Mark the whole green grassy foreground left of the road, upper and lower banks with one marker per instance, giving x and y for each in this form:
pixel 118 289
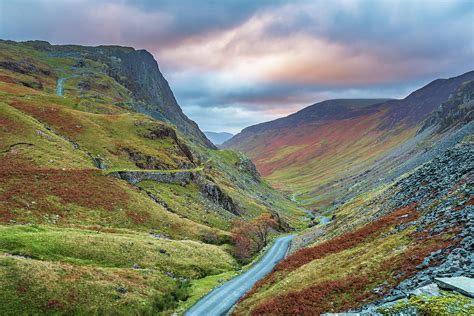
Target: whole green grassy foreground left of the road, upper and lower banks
pixel 50 270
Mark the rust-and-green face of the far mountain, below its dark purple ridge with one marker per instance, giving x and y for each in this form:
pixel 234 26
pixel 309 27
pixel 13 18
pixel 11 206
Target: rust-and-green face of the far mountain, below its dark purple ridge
pixel 318 162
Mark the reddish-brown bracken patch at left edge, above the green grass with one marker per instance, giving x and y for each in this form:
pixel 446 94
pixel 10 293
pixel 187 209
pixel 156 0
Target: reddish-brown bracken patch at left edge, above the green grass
pixel 40 190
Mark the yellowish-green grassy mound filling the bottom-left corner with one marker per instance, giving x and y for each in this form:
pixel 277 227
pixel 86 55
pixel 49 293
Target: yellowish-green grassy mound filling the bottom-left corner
pixel 31 286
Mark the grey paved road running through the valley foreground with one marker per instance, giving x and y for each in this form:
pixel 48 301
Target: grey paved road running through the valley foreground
pixel 220 300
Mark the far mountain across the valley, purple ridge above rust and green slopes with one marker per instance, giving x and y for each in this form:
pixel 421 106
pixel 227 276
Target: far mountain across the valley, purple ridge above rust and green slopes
pixel 322 153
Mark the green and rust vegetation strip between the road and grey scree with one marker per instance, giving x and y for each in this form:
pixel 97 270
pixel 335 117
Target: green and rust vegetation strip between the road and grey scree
pixel 348 271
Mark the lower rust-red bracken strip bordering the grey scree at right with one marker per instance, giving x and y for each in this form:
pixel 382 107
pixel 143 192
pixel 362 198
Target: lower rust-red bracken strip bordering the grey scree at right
pixel 352 292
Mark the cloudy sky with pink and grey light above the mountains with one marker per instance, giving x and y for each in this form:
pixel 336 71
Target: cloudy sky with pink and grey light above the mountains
pixel 232 64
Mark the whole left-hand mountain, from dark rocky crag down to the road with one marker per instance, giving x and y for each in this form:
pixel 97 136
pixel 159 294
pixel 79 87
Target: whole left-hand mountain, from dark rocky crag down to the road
pixel 112 201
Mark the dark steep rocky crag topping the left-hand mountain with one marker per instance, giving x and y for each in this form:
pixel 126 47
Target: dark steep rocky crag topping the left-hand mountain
pixel 135 70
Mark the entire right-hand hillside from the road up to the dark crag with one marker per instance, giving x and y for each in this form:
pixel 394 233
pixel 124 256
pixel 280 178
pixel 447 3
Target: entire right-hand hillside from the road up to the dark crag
pixel 388 240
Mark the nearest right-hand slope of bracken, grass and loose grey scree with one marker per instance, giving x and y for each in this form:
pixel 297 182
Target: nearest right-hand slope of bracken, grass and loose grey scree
pixel 380 246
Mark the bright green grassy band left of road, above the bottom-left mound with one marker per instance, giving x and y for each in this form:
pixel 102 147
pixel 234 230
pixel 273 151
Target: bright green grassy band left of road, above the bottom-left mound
pixel 119 250
